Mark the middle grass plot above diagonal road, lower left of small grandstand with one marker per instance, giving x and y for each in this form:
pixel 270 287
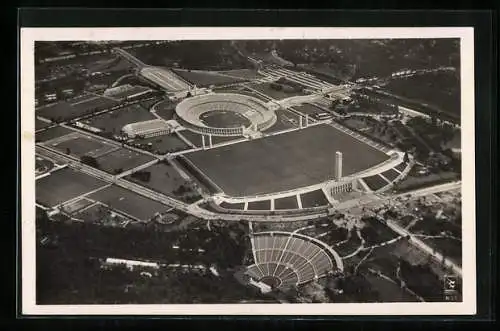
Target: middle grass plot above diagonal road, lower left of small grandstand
pixel 123 159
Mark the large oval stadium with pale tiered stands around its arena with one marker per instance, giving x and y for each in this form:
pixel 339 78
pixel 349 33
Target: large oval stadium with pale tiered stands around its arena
pixel 224 114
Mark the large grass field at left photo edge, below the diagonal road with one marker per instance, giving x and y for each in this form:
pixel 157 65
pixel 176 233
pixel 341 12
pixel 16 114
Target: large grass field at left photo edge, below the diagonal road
pixel 63 185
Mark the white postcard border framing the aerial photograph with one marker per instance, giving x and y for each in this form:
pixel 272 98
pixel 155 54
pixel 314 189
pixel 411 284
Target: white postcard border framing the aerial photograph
pixel 27 142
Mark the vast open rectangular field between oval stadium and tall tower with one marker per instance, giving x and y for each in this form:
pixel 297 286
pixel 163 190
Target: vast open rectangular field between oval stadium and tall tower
pixel 283 162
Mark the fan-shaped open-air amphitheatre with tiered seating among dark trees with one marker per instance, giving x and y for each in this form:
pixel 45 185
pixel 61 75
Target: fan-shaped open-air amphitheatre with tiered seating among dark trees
pixel 283 260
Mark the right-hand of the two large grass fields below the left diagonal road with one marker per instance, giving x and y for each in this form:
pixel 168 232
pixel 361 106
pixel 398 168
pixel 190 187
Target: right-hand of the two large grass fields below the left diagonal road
pixel 129 202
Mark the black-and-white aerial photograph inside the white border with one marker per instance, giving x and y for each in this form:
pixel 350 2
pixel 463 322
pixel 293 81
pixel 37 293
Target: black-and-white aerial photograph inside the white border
pixel 248 171
